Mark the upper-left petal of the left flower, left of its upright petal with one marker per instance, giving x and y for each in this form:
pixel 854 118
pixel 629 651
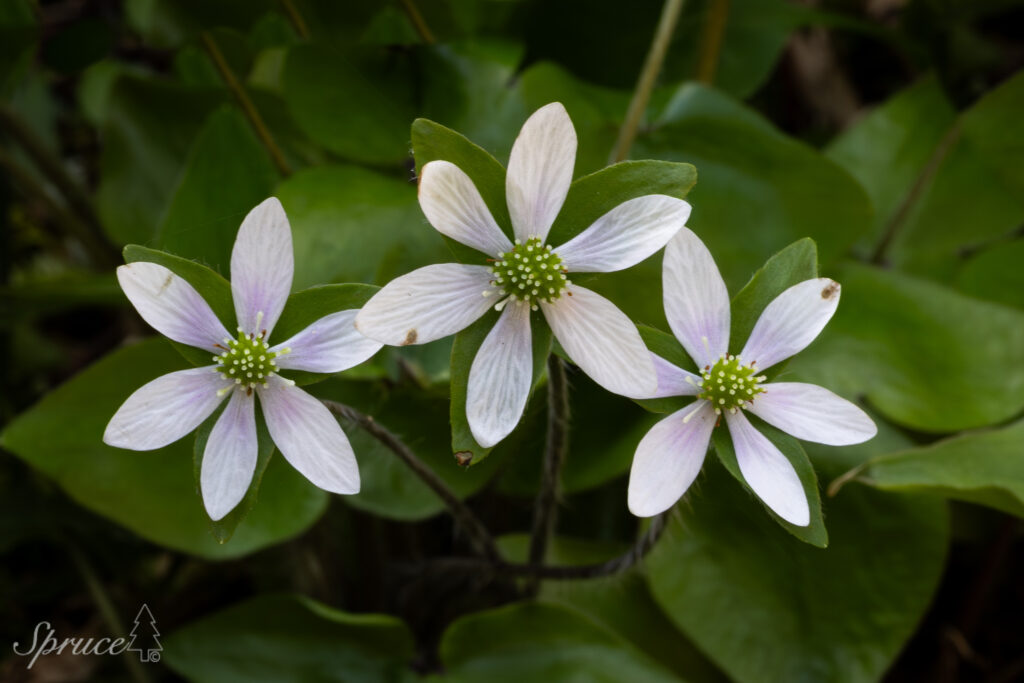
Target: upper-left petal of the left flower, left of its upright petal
pixel 172 306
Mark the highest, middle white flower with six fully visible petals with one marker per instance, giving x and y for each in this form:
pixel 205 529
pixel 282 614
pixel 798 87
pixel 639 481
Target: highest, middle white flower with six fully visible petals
pixel 440 301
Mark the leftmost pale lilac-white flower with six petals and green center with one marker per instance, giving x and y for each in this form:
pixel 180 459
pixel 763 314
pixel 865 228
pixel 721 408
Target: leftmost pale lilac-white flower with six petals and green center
pixel 170 407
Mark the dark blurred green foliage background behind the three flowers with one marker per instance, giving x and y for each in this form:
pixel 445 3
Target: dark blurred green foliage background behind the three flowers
pixel 889 132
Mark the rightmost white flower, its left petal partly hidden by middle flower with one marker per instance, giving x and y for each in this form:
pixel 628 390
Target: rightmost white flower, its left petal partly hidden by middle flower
pixel 697 304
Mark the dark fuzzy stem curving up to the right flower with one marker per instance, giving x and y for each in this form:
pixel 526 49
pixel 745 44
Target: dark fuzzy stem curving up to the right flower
pixel 616 566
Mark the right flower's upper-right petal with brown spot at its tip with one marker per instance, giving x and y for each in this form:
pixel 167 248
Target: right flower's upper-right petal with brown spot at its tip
pixel 792 322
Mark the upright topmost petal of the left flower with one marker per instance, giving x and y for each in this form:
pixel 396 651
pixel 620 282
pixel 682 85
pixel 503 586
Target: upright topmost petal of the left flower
pixel 263 266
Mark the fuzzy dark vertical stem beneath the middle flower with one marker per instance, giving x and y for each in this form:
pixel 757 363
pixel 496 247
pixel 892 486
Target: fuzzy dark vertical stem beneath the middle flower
pixel 546 508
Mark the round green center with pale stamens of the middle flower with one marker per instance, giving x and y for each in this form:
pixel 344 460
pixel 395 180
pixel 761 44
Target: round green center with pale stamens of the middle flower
pixel 530 272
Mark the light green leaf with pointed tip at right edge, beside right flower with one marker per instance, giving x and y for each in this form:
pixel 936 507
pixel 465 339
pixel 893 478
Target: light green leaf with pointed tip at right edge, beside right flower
pixel 985 467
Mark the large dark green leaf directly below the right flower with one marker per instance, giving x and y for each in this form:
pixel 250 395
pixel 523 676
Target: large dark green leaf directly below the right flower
pixel 769 609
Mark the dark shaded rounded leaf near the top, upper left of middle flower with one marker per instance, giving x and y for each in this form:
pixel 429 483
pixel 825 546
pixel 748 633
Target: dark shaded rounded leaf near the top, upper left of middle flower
pixel 356 103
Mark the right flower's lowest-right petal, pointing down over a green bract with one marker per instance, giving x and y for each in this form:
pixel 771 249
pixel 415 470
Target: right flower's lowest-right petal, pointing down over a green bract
pixel 769 473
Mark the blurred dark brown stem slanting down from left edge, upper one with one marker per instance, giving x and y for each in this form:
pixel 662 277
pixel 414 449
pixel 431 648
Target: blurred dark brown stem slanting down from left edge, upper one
pixel 91 231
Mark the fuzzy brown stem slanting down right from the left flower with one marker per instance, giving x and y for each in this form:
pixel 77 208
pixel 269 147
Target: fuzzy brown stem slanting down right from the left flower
pixel 479 536
